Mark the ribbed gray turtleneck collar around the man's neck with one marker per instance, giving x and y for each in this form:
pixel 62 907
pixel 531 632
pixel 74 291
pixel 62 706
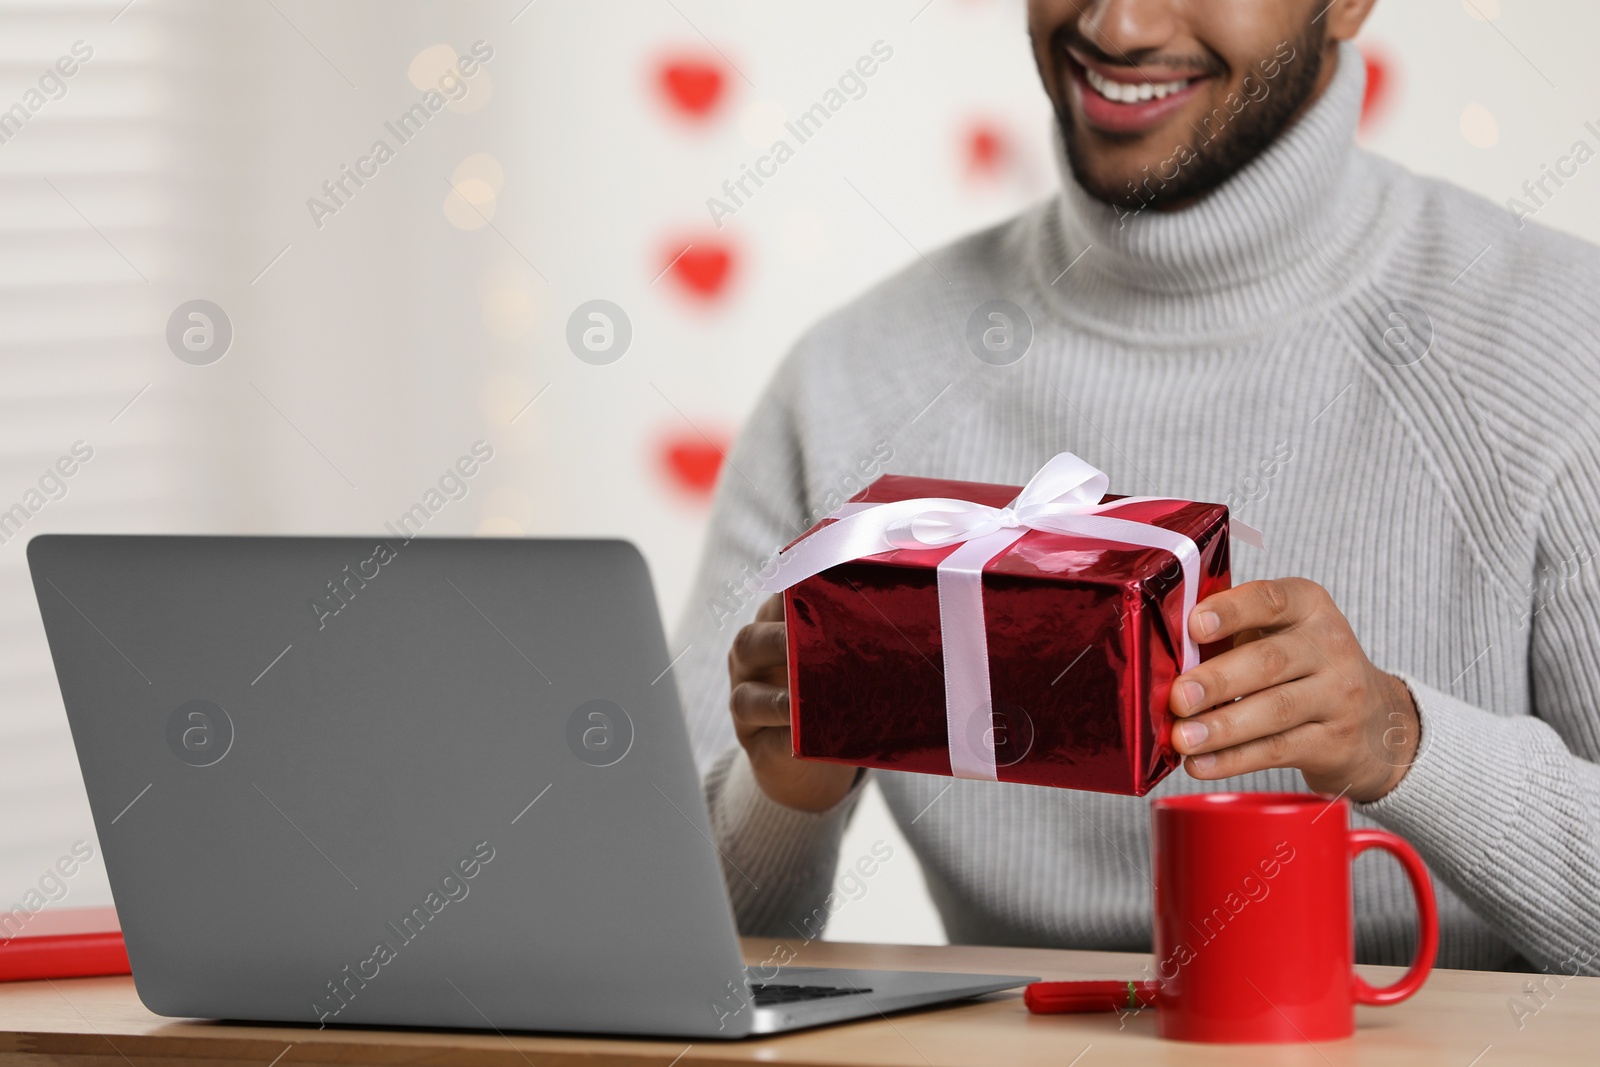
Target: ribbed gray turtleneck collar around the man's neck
pixel 1282 234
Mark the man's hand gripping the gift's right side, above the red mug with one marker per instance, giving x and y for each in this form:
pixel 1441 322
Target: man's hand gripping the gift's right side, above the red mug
pixel 1297 690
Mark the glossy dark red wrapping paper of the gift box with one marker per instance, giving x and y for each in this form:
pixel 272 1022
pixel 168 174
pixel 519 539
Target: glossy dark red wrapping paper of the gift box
pixel 1084 645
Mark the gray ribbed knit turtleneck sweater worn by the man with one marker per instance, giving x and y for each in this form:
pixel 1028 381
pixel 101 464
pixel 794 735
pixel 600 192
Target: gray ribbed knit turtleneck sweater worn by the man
pixel 1442 481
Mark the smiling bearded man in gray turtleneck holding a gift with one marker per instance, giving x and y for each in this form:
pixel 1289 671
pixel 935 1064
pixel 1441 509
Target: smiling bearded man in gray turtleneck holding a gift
pixel 1228 303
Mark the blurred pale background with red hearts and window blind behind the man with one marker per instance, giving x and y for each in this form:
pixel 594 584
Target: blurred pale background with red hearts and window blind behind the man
pixel 370 314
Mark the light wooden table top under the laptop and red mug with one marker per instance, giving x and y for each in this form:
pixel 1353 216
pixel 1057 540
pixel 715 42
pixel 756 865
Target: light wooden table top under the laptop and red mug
pixel 1462 1020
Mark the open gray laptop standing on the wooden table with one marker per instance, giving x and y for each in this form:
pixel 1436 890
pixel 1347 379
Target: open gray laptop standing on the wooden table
pixel 433 783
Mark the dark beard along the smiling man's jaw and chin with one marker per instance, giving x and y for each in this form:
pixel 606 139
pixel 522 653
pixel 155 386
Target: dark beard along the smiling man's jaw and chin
pixel 1214 156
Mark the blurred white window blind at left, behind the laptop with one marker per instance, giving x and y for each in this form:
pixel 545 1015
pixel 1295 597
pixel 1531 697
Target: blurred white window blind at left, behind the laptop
pixel 92 439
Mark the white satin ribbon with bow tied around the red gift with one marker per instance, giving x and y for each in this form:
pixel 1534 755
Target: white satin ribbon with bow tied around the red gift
pixel 1063 498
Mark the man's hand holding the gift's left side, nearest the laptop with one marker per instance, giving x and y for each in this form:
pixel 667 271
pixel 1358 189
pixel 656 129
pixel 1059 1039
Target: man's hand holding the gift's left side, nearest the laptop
pixel 759 674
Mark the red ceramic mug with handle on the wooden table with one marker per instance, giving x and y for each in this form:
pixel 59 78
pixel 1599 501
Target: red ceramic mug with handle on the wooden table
pixel 1255 937
